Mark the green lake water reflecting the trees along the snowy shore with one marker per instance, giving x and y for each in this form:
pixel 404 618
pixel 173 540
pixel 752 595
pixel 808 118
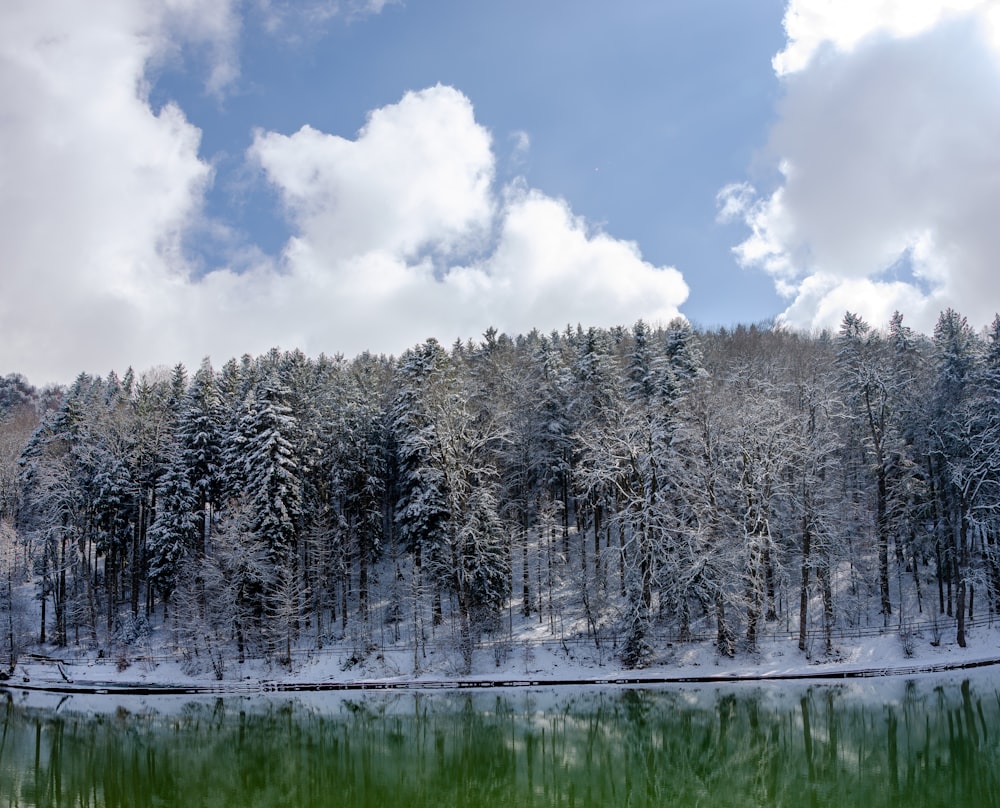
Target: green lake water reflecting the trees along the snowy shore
pixel 920 743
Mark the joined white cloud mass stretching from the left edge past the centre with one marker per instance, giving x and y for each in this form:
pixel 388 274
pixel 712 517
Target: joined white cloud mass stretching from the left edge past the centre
pixel 399 233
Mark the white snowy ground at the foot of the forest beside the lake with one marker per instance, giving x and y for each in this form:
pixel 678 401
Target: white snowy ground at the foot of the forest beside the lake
pixel 527 660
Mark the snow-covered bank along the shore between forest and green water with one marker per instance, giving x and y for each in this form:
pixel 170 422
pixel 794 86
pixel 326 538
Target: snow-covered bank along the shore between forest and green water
pixel 538 665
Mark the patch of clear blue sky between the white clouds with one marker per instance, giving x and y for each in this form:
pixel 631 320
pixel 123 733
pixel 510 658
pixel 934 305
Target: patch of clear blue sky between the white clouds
pixel 636 113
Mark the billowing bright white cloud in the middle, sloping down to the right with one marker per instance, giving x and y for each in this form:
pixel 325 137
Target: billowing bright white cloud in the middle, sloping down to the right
pixel 405 233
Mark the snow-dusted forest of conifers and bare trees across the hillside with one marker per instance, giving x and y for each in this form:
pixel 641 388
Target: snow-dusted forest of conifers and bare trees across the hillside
pixel 634 485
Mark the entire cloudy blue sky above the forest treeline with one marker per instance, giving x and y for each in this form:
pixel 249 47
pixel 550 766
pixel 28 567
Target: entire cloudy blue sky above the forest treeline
pixel 192 178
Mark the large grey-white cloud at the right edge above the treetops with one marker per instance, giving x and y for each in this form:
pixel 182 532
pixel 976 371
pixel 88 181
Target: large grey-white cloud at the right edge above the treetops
pixel 885 144
